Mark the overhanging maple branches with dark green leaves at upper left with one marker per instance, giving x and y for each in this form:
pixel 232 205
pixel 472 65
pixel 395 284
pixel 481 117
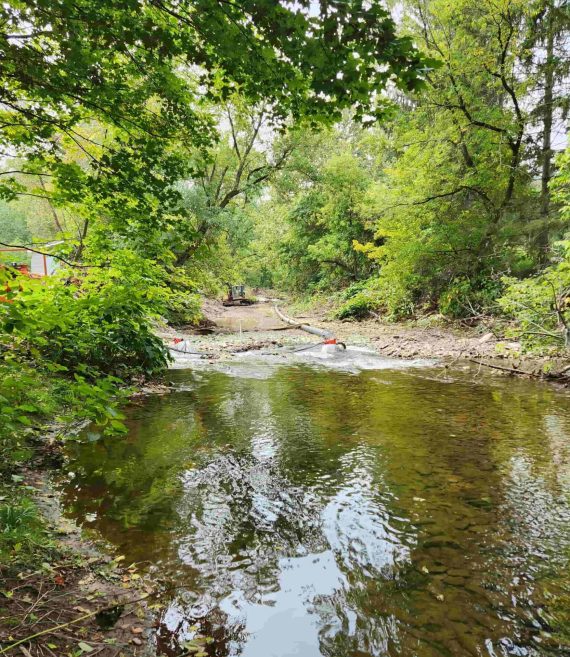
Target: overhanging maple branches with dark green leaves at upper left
pixel 143 69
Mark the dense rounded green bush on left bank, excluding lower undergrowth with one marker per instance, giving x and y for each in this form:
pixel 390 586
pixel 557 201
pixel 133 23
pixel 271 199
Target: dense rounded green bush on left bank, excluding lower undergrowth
pixel 99 322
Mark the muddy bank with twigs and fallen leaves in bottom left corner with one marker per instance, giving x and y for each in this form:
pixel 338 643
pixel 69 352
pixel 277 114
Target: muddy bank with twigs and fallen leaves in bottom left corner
pixel 76 596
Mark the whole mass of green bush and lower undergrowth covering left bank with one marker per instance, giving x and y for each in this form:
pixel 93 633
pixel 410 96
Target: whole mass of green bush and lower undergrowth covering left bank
pixel 69 345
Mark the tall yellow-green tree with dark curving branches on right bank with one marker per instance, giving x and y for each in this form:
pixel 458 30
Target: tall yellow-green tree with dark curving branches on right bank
pixel 458 205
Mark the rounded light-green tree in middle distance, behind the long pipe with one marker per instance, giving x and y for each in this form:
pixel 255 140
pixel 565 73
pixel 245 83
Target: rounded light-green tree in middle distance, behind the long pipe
pixel 310 245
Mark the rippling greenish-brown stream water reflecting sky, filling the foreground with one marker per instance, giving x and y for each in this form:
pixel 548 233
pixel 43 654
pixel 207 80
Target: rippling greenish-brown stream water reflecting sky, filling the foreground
pixel 294 511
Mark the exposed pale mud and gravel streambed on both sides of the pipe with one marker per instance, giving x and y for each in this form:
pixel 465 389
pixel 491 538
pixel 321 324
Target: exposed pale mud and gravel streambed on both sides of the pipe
pixel 240 328
